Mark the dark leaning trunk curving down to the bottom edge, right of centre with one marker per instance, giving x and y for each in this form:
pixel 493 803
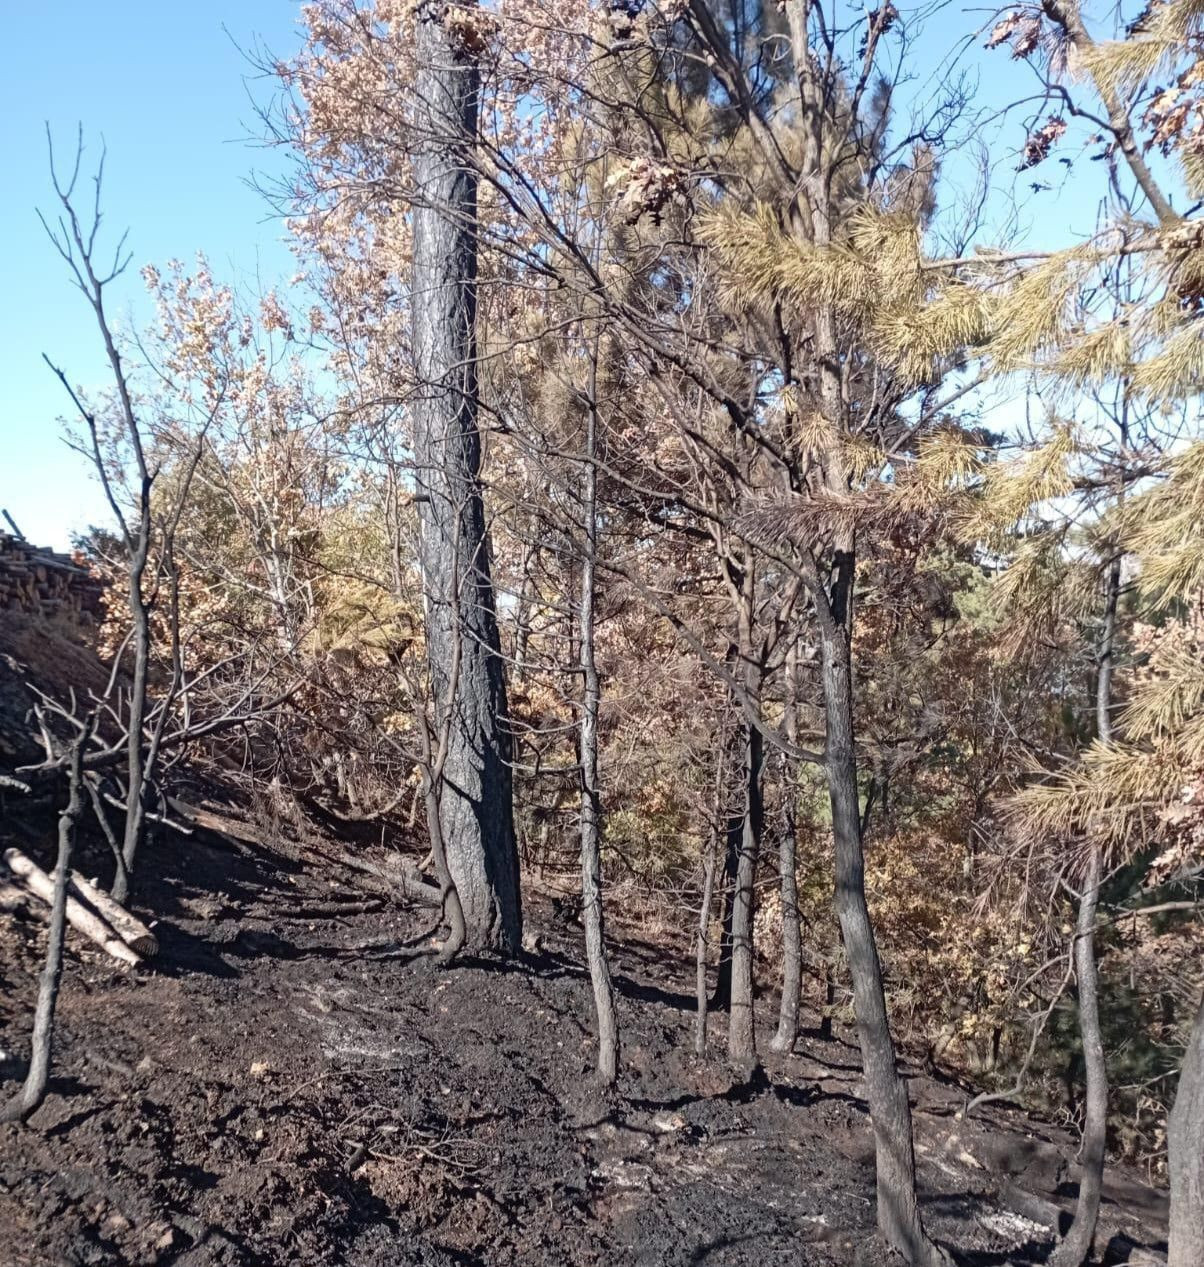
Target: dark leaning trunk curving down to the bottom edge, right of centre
pixel 890 1111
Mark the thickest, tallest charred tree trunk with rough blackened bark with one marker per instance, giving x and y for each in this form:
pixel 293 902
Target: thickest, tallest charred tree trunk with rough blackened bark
pixel 476 806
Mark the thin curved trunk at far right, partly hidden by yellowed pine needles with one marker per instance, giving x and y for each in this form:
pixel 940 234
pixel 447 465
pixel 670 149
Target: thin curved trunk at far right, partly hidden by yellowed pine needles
pixel 1074 1251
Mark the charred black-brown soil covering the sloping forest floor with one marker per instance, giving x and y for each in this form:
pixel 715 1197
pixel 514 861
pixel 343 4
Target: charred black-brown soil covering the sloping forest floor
pixel 281 1088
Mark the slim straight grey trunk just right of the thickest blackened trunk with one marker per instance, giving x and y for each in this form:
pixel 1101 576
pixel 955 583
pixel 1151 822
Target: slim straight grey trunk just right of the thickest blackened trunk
pixel 591 803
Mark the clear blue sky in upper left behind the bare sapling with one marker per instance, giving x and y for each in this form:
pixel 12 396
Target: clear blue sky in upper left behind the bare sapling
pixel 164 84
